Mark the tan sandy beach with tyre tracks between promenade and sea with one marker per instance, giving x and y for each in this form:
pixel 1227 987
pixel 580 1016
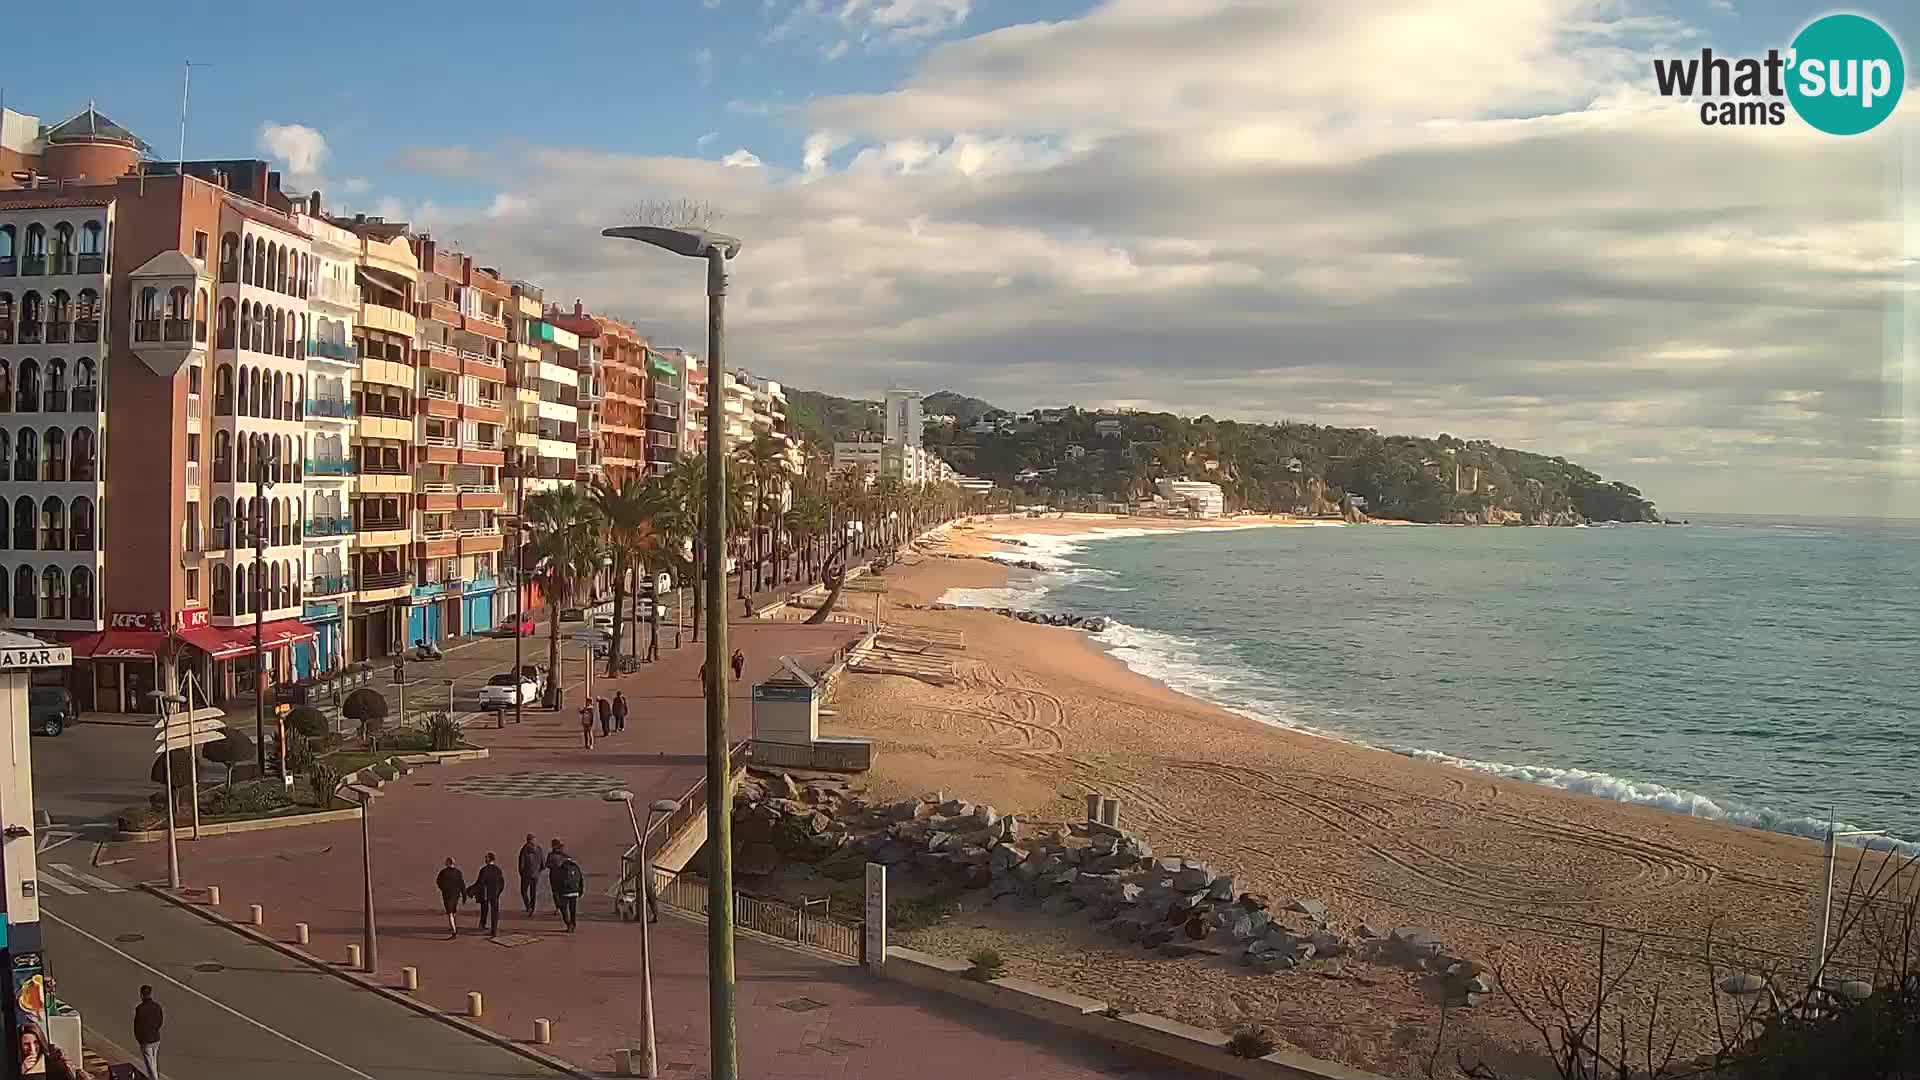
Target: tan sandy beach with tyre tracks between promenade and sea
pixel 1516 875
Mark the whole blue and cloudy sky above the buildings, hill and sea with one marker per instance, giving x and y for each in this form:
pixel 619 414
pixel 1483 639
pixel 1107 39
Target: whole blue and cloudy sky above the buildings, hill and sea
pixel 1418 216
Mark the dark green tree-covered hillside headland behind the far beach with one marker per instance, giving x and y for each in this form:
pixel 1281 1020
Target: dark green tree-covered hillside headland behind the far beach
pixel 1076 458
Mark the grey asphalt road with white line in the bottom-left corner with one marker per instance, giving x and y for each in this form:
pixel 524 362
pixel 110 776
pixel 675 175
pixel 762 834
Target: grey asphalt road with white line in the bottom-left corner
pixel 241 1012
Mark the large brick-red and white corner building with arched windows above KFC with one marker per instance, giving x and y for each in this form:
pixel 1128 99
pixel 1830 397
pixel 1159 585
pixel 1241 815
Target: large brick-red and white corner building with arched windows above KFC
pixel 128 293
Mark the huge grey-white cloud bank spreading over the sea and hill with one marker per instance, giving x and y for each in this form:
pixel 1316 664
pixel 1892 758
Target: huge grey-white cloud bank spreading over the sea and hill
pixel 1543 253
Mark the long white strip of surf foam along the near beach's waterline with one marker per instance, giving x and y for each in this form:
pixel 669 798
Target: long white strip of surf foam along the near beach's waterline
pixel 1207 672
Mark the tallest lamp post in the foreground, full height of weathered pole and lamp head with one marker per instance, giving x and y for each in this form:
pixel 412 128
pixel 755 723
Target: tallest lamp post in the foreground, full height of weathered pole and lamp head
pixel 717 251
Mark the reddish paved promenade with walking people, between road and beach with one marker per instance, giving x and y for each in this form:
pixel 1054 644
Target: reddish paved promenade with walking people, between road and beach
pixel 800 1016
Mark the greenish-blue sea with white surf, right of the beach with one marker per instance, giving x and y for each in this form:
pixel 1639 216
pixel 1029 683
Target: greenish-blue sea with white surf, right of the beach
pixel 1752 670
